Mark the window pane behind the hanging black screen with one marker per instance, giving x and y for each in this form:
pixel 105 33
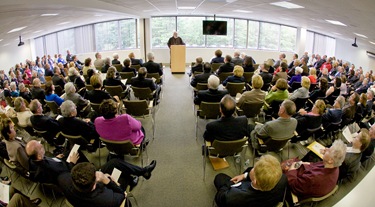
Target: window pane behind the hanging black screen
pixel 220 40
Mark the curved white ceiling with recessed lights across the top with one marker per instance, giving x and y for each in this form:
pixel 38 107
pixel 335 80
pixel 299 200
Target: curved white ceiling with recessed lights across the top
pixel 358 15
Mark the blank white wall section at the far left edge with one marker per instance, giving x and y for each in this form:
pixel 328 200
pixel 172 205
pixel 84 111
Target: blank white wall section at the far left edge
pixel 12 54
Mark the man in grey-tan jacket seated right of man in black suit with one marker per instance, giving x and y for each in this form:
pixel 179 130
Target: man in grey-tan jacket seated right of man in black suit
pixel 280 128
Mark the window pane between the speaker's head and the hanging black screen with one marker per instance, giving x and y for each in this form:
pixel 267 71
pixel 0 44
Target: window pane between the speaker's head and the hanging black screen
pixel 190 30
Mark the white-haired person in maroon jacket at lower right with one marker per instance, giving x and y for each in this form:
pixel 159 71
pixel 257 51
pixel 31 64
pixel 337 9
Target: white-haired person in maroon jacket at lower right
pixel 317 179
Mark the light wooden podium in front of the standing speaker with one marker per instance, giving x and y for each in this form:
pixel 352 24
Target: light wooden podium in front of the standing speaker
pixel 178 59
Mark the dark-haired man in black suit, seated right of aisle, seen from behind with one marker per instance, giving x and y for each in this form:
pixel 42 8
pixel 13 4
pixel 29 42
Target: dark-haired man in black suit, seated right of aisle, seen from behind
pixel 228 127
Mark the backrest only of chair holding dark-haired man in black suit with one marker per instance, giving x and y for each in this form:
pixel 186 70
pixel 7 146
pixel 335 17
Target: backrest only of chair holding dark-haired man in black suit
pixel 227 148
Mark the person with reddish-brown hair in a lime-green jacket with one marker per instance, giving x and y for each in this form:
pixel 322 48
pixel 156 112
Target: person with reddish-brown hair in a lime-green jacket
pixel 278 92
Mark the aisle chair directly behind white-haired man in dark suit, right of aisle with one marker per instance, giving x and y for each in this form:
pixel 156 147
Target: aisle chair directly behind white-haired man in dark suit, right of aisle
pixel 207 110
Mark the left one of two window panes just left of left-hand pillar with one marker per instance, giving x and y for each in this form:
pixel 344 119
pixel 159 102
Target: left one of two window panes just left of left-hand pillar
pixel 106 36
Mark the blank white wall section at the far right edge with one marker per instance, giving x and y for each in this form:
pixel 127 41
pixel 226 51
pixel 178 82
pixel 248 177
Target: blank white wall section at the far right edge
pixel 356 55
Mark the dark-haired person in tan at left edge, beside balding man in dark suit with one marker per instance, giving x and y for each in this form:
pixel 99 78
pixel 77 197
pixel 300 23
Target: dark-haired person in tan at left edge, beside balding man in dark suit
pixel 15 147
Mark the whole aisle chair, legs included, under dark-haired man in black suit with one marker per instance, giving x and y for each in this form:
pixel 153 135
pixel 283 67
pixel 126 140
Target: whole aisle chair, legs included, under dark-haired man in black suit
pixel 222 149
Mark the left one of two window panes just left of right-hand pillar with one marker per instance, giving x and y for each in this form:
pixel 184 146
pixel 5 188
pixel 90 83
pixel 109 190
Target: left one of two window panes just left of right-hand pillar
pixel 269 36
